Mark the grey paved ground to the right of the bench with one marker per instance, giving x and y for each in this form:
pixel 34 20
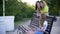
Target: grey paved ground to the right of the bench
pixel 56 27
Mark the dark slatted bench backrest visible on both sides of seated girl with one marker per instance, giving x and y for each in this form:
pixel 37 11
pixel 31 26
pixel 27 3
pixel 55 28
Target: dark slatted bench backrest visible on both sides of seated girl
pixel 49 19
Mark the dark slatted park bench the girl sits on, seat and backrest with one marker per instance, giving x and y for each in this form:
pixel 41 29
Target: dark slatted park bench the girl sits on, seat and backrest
pixel 48 30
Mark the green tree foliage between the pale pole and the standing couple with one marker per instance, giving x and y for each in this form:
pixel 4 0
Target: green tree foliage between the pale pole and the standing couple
pixel 18 9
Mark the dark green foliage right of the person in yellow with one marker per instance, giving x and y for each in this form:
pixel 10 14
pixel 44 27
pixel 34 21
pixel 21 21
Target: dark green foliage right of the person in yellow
pixel 54 6
